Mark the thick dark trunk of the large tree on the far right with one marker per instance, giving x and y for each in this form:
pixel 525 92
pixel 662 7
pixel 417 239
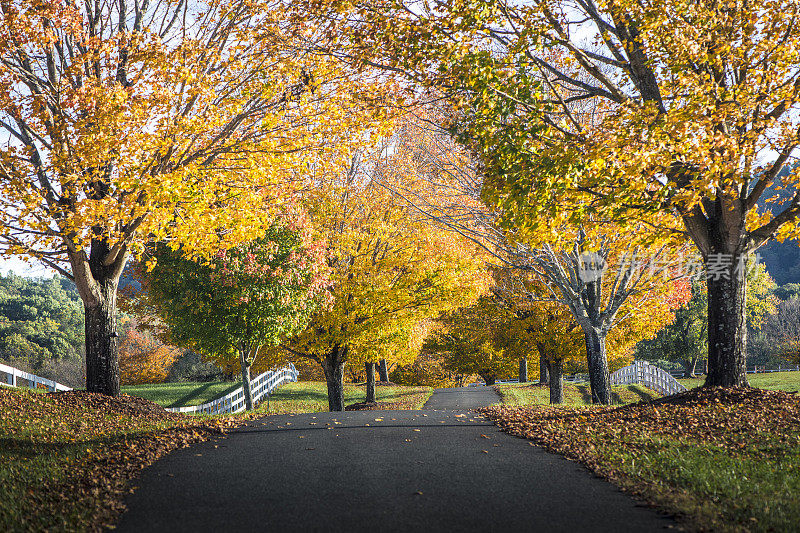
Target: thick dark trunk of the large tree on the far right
pixel 727 329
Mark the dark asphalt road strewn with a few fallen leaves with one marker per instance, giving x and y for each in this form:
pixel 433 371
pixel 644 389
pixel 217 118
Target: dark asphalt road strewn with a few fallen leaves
pixel 433 470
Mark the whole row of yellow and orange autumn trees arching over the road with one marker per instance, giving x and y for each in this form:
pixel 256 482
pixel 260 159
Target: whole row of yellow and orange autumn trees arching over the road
pixel 403 155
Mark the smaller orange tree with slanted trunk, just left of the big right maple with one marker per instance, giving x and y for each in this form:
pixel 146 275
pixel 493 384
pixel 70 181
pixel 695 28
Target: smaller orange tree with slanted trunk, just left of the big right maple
pixel 608 282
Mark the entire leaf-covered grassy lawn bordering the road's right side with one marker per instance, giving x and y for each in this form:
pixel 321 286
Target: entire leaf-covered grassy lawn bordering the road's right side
pixel 720 460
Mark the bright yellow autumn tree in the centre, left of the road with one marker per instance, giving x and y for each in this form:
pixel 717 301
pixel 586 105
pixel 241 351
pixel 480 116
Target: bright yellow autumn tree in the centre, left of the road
pixel 390 268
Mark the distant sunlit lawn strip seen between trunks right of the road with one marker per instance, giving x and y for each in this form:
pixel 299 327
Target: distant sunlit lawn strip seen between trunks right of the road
pixel 521 394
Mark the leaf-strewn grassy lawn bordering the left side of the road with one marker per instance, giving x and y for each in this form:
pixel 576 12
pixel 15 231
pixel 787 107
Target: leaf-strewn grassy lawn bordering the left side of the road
pixel 66 458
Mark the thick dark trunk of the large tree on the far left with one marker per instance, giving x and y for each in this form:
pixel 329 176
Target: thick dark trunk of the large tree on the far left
pixel 102 359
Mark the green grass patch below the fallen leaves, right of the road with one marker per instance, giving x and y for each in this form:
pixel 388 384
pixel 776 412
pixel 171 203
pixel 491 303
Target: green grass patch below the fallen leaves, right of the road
pixel 753 490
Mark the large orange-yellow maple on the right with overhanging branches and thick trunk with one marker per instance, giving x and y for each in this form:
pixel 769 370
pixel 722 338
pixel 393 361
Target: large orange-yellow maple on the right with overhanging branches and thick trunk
pixel 694 107
